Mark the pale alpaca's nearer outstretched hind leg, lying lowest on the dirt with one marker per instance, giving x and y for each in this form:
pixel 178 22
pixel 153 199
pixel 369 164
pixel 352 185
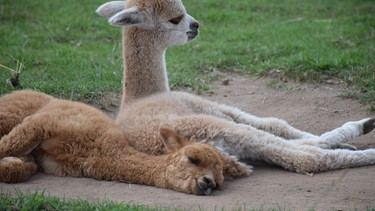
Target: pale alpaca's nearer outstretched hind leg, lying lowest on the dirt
pixel 249 143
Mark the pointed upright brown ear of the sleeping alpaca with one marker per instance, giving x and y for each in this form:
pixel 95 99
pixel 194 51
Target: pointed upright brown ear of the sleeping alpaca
pixel 171 140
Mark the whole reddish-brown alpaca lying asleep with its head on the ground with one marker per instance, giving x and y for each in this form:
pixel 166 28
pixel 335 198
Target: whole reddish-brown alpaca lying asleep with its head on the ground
pixel 66 138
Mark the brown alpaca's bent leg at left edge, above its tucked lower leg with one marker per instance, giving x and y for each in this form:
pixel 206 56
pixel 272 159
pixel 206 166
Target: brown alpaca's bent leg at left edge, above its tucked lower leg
pixel 23 138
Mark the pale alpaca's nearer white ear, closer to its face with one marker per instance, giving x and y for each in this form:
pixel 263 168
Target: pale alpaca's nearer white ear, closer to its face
pixel 127 17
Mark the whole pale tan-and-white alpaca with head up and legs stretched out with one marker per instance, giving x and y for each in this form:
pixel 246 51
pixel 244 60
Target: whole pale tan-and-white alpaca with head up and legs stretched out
pixel 237 133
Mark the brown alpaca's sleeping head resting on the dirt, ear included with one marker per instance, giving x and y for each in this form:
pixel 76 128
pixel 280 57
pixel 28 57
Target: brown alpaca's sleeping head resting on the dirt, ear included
pixel 195 167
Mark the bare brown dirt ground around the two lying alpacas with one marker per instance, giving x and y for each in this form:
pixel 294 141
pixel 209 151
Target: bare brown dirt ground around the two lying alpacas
pixel 313 108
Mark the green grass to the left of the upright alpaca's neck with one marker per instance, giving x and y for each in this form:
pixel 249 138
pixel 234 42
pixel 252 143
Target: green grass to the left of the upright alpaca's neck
pixel 64 47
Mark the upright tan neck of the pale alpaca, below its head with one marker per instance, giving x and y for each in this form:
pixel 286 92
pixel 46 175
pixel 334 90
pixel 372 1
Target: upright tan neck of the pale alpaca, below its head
pixel 144 66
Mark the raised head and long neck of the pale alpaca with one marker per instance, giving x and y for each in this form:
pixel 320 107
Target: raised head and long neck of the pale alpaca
pixel 146 44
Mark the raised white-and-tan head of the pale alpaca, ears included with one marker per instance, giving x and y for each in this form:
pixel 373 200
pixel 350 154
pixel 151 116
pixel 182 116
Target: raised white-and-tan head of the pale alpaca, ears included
pixel 163 21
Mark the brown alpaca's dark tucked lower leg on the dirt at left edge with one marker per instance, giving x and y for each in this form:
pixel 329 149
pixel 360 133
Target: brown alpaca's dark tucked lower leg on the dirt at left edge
pixel 13 170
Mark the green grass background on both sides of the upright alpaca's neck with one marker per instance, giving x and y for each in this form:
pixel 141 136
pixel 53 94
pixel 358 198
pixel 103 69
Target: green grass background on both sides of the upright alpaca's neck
pixel 69 51
